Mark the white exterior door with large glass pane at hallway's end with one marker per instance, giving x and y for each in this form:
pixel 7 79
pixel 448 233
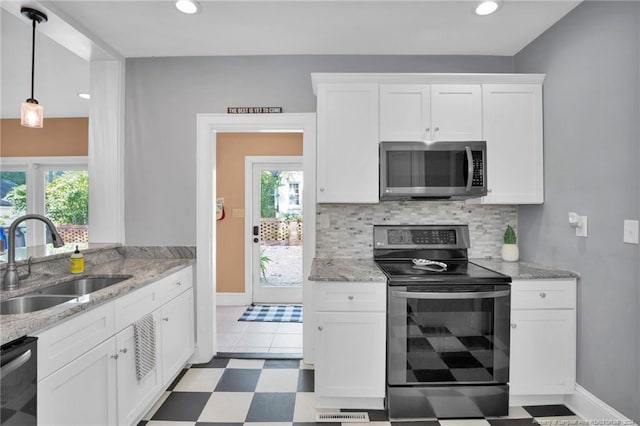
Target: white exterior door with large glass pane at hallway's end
pixel 274 225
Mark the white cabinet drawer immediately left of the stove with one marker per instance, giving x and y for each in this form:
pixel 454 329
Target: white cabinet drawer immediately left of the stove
pixel 350 296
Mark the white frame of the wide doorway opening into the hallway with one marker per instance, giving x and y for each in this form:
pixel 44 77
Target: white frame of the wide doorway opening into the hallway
pixel 207 128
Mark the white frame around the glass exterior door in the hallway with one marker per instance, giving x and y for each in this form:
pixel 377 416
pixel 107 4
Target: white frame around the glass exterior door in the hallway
pixel 249 246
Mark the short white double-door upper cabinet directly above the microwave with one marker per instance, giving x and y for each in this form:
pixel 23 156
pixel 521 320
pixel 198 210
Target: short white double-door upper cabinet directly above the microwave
pixel 444 112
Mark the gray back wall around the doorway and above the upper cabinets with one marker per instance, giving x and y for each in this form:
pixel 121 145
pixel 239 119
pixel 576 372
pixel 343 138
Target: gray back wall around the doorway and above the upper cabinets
pixel 163 96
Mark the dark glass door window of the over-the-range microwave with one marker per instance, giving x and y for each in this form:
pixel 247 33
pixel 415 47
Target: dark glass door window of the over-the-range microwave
pixel 441 169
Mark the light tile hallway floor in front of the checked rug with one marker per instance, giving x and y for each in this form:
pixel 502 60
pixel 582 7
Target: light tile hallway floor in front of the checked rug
pixel 255 337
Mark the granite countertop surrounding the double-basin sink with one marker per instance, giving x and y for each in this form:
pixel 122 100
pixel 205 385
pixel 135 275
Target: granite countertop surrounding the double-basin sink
pixel 143 270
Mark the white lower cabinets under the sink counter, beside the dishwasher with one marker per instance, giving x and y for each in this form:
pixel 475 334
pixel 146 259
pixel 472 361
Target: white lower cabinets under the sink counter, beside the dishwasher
pixel 100 386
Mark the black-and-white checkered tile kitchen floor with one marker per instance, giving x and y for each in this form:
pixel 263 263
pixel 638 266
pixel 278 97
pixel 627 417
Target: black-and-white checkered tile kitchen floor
pixel 280 392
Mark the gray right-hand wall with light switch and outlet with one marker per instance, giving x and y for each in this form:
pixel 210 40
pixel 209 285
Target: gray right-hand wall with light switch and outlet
pixel 592 151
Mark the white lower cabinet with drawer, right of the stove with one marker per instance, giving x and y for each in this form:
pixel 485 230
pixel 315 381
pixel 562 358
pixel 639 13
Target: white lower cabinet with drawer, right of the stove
pixel 543 337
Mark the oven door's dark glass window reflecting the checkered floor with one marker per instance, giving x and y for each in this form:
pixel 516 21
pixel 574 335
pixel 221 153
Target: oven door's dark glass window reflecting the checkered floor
pixel 453 341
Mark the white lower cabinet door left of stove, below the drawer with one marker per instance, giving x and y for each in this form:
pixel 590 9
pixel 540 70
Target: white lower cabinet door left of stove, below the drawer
pixel 350 354
